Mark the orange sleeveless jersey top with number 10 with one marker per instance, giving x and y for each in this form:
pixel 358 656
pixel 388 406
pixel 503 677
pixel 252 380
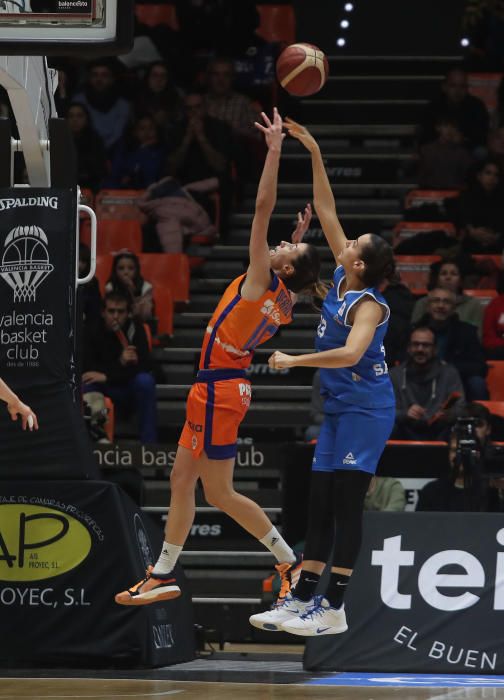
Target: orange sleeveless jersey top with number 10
pixel 238 326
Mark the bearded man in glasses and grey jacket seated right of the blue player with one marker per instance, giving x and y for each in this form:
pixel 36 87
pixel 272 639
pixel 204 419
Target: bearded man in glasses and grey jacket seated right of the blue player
pixel 426 390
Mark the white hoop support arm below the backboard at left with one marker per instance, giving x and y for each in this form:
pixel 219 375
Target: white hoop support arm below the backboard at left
pixel 30 85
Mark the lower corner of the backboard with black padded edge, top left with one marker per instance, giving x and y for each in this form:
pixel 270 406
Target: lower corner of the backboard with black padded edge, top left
pixel 65 27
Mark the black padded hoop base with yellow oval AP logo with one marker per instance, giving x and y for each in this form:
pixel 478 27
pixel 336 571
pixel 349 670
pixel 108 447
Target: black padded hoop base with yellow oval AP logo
pixel 66 548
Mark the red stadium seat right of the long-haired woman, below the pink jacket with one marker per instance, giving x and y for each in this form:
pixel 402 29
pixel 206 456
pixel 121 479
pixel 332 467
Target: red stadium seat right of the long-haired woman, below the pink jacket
pixel 169 269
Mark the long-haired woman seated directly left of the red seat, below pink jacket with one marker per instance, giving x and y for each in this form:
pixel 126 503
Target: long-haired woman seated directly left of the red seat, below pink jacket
pixel 126 278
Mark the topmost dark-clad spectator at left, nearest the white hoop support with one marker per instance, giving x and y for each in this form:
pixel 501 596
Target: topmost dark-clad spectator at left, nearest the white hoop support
pixel 110 113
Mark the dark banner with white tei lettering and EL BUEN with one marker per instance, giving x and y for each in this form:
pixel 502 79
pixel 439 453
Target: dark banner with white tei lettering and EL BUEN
pixel 427 596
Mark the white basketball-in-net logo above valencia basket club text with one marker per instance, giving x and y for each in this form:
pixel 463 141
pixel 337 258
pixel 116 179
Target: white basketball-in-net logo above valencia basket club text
pixel 25 262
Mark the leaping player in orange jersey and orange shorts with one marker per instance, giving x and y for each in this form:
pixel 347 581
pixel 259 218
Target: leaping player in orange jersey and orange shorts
pixel 249 313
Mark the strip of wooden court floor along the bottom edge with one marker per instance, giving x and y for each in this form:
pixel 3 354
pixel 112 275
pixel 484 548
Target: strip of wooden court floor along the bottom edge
pixel 141 689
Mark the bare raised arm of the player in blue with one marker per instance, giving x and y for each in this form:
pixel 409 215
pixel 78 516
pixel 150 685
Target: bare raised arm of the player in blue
pixel 323 198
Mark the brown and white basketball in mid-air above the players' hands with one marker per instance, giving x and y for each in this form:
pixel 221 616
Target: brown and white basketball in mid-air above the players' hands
pixel 302 69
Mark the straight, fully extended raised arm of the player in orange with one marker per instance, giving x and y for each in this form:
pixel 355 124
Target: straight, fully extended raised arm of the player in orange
pixel 258 274
